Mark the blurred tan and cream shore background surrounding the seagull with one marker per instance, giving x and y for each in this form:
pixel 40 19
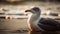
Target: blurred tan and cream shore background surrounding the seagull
pixel 12 15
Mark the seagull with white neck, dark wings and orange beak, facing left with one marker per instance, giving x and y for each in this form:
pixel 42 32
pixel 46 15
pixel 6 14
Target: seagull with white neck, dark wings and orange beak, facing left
pixel 36 23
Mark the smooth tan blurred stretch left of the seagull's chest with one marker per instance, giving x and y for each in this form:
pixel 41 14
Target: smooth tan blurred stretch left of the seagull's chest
pixel 13 24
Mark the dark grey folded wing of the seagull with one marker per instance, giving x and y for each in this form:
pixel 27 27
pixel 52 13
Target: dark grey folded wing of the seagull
pixel 48 24
